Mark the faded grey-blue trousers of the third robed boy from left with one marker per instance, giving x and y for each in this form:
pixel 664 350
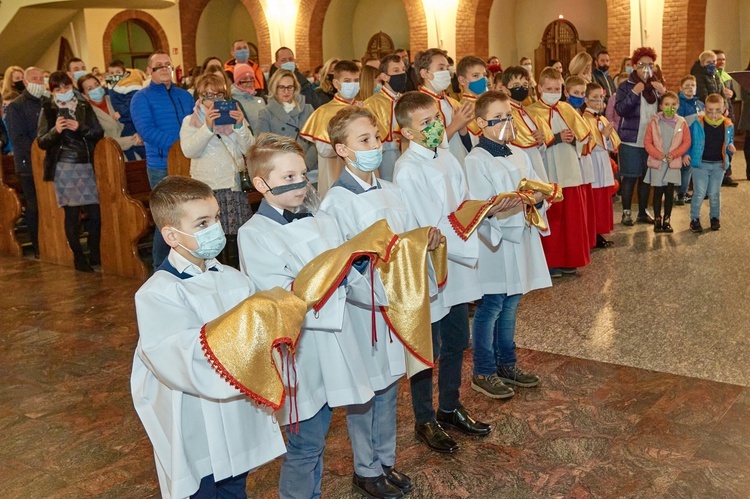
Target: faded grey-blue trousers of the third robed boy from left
pixel 372 432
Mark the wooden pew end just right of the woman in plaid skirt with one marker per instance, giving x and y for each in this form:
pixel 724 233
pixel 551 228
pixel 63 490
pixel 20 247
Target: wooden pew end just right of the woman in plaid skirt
pixel 123 196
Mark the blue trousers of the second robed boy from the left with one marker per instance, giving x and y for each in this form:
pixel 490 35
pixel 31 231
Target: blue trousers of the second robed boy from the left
pixel 302 468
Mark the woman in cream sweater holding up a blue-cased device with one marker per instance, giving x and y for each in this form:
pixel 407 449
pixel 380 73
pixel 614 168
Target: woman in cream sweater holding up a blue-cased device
pixel 217 154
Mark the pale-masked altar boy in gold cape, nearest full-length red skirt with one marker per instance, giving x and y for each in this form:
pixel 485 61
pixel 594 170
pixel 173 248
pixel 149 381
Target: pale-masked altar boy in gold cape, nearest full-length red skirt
pixel 569 245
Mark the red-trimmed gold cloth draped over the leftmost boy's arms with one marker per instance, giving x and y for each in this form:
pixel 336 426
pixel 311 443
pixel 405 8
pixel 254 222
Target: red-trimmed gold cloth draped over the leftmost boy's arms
pixel 242 344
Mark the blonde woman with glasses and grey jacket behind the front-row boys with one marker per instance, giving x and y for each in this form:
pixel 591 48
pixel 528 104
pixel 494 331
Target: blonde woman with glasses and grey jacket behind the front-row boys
pixel 286 112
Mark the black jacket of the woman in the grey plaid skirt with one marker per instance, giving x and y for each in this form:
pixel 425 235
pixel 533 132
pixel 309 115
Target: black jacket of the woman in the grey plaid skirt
pixel 69 146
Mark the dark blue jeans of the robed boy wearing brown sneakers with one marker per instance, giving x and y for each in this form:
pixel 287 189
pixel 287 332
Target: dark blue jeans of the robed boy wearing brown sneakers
pixel 494 332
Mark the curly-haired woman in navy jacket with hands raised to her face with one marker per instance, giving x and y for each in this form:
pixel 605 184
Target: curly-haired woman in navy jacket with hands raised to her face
pixel 637 100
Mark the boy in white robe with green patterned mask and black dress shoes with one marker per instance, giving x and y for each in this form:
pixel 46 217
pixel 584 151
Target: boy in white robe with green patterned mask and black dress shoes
pixel 434 185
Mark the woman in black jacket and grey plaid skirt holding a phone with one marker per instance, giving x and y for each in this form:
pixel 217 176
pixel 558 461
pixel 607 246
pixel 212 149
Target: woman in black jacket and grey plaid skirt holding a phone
pixel 68 132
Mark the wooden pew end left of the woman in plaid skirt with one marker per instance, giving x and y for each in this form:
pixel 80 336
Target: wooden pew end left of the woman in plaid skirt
pixel 53 245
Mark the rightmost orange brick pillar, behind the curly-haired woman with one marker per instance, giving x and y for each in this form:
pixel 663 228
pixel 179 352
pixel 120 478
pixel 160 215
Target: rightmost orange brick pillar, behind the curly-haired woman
pixel 683 39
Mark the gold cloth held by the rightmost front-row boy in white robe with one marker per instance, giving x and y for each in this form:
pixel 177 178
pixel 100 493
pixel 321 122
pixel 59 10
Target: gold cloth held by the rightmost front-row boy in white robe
pixel 470 214
